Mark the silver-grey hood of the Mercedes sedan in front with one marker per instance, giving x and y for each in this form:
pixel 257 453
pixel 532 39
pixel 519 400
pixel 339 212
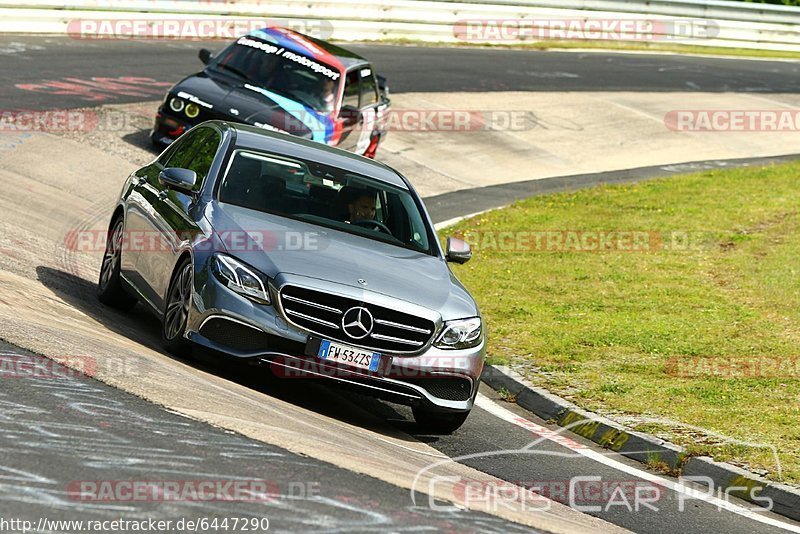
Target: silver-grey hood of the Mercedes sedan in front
pixel 276 245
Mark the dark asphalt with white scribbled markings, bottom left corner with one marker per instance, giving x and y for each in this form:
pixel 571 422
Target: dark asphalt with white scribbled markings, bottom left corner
pixel 60 429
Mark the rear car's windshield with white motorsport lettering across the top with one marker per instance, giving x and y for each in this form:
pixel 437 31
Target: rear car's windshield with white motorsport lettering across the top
pixel 282 71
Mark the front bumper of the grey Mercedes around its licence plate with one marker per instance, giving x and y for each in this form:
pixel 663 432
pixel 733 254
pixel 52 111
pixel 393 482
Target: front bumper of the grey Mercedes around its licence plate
pixel 433 379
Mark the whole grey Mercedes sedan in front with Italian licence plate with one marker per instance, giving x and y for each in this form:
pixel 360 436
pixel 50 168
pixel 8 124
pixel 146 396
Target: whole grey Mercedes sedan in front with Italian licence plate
pixel 321 264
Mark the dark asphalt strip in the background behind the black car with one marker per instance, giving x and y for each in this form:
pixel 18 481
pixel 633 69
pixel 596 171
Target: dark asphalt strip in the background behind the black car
pixel 33 60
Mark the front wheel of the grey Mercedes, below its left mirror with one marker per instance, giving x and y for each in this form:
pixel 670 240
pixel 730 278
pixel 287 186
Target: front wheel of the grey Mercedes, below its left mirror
pixel 176 310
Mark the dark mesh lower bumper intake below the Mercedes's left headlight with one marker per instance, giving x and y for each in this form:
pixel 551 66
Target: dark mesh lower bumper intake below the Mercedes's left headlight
pixel 245 338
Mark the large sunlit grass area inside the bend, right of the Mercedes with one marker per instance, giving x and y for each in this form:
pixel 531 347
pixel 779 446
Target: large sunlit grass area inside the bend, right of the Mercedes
pixel 666 338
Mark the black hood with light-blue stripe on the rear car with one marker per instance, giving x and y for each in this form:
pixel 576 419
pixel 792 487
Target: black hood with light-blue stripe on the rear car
pixel 240 101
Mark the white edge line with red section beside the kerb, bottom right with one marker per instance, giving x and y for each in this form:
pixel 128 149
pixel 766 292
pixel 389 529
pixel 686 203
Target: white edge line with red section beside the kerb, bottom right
pixel 504 414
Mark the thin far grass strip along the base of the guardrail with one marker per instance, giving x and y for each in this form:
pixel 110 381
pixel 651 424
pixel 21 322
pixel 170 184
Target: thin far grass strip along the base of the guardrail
pixel 611 46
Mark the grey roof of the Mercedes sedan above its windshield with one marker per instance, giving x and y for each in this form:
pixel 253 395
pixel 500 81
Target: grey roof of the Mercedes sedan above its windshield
pixel 255 138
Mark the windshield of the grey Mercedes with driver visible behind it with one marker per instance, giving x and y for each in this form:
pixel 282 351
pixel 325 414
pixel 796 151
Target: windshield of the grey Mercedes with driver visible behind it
pixel 327 196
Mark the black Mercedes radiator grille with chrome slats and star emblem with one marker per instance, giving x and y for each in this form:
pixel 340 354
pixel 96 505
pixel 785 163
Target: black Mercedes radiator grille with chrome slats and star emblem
pixel 392 331
